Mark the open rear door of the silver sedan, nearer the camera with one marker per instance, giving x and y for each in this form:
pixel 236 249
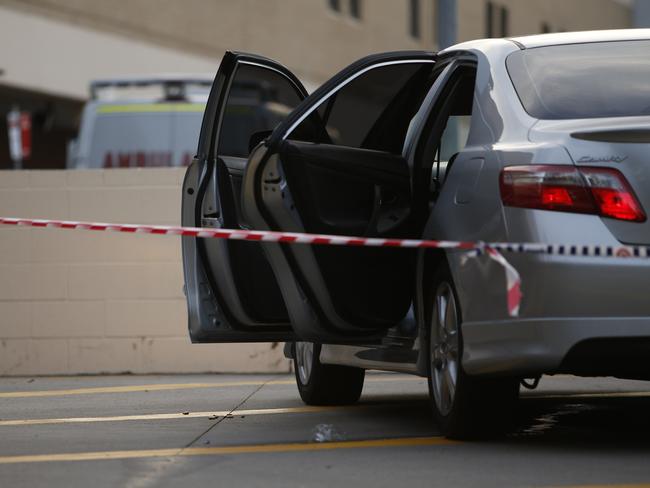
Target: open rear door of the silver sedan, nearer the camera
pixel 336 165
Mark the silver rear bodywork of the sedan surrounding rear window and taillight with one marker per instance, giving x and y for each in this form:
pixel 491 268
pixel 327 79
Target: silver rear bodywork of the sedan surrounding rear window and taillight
pixel 566 300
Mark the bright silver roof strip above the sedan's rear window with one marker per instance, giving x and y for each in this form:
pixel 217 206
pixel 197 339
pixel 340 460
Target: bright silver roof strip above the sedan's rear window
pixel 560 38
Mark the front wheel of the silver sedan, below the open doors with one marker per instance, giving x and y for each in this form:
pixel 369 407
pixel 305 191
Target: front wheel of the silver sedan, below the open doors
pixel 325 384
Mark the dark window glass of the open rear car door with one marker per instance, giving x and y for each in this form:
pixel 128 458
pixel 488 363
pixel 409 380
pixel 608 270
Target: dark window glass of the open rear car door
pixel 373 111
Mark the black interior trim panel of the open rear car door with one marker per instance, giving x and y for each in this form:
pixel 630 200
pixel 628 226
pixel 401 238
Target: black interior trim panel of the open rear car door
pixel 342 190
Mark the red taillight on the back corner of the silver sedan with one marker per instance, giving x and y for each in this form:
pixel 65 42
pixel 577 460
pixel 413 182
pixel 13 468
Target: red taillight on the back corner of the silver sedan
pixel 600 191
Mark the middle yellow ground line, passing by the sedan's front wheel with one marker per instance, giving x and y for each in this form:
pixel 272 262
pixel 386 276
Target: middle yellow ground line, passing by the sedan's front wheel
pixel 172 386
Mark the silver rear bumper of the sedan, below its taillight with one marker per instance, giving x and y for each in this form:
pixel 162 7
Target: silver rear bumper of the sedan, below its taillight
pixel 567 300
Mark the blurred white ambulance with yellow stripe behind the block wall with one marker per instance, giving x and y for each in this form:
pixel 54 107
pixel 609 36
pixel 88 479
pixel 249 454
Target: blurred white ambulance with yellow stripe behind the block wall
pixel 140 122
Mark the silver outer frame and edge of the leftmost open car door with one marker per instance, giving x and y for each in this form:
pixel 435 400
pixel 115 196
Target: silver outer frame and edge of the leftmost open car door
pixel 215 313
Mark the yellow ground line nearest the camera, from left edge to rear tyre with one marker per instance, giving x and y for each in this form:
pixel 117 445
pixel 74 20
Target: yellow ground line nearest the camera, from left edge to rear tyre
pixel 220 451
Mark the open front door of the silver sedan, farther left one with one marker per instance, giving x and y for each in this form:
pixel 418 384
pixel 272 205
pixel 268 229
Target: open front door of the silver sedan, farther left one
pixel 231 291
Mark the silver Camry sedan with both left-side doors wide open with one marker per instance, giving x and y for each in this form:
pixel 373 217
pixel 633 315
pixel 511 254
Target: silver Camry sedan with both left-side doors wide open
pixel 534 139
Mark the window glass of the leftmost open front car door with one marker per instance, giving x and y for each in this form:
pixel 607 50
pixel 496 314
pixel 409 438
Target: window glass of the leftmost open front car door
pixel 259 99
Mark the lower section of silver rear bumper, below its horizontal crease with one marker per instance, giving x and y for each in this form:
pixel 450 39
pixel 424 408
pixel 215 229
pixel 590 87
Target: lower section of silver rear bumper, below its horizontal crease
pixel 530 347
